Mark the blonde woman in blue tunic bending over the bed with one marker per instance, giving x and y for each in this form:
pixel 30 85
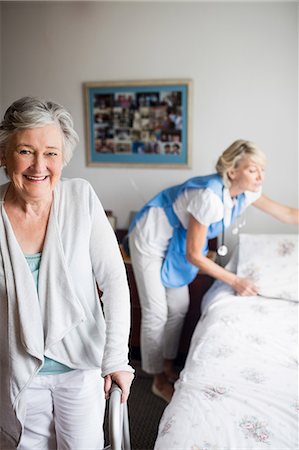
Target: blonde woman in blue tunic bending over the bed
pixel 168 245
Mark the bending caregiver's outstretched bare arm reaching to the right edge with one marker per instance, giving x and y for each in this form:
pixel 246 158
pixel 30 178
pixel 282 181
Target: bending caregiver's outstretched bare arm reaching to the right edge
pixel 280 212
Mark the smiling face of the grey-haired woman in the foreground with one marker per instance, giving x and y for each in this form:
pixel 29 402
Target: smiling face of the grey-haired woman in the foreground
pixel 34 160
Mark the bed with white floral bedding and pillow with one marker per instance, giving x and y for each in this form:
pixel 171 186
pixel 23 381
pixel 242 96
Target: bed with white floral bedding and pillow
pixel 239 387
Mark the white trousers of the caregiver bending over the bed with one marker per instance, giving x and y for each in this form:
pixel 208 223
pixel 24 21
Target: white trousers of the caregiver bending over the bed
pixel 163 311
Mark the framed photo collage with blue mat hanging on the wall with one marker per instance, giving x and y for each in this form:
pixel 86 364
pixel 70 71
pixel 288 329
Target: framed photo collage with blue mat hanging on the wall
pixel 138 123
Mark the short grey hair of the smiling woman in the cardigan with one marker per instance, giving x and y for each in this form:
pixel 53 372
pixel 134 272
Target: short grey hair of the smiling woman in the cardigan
pixel 31 112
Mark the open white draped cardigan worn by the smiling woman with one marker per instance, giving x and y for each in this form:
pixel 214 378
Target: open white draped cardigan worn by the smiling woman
pixel 65 321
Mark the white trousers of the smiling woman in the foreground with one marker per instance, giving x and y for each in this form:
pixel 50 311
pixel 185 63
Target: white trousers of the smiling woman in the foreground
pixel 65 412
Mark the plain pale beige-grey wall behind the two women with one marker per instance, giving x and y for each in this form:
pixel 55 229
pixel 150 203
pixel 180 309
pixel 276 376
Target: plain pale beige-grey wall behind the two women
pixel 242 58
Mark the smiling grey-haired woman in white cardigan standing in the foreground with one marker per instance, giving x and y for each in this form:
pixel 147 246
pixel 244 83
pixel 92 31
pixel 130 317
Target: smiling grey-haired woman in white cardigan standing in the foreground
pixel 59 350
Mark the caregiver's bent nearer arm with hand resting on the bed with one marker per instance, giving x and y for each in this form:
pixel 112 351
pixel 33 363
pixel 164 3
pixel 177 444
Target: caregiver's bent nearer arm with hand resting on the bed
pixel 196 238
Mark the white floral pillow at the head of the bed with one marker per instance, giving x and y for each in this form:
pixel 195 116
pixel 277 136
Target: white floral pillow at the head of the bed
pixel 271 262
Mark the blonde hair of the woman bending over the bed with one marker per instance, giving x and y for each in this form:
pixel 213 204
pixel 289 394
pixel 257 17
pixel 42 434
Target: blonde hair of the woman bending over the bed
pixel 237 151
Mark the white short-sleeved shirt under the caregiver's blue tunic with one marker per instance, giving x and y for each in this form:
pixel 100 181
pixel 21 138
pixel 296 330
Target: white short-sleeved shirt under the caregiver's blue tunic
pixel 153 231
